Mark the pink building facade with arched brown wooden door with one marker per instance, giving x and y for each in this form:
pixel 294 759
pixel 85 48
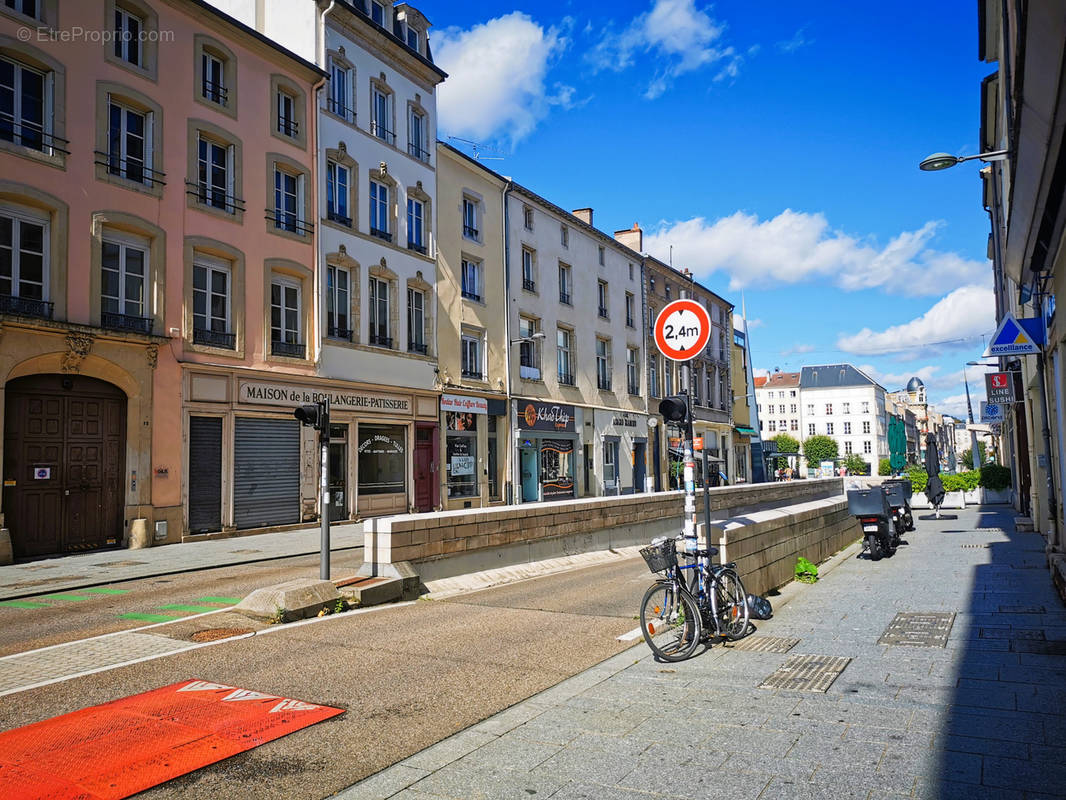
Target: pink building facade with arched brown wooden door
pixel 158 273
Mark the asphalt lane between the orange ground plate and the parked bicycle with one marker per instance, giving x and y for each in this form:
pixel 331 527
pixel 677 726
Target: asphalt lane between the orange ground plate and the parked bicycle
pixel 408 677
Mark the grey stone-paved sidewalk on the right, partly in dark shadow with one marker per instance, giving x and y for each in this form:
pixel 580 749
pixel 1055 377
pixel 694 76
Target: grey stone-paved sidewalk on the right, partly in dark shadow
pixel 982 716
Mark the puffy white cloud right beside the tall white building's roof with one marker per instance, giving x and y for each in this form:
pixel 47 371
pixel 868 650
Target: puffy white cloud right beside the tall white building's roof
pixel 497 77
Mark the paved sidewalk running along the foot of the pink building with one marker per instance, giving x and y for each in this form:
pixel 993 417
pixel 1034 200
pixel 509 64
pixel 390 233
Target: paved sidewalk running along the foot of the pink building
pixel 109 567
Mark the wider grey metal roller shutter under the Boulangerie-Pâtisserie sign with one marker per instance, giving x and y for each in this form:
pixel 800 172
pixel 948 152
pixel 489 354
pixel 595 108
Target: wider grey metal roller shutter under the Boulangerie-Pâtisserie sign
pixel 266 473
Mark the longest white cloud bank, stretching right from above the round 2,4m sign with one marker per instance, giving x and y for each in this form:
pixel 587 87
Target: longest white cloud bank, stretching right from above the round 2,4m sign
pixel 796 247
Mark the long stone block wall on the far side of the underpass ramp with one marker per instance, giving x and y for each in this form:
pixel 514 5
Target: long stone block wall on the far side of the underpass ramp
pixel 459 542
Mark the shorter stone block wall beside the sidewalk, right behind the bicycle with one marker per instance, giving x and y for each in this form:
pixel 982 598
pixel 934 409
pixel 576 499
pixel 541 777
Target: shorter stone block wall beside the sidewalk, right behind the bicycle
pixel 766 545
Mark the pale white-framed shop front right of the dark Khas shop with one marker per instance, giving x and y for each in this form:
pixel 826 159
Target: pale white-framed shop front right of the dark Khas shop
pixel 621 451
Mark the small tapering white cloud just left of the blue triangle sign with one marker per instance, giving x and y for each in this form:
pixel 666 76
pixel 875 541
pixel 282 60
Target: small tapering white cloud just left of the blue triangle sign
pixel 955 323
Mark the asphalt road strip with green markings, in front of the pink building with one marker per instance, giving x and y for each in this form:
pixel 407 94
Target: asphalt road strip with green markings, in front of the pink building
pixel 64 617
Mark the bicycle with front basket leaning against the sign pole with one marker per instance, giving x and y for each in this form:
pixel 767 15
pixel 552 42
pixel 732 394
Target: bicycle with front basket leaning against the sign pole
pixel 681 612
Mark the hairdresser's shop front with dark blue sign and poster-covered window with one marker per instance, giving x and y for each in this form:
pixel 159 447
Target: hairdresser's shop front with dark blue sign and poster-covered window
pixel 475 431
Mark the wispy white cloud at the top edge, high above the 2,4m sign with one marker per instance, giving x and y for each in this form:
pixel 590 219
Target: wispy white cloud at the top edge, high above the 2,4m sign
pixel 680 37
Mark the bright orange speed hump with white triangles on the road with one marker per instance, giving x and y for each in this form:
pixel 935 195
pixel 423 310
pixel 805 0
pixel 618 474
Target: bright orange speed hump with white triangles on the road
pixel 118 749
